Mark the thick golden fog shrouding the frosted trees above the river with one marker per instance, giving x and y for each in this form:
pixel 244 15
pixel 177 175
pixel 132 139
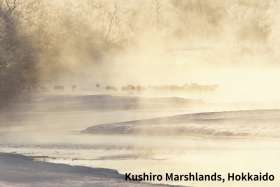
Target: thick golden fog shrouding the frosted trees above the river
pixel 232 44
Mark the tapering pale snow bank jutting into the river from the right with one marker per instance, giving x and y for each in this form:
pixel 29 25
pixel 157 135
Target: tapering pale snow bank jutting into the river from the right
pixel 245 123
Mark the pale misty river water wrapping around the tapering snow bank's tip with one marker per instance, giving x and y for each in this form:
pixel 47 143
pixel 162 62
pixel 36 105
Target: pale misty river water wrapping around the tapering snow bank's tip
pixel 56 137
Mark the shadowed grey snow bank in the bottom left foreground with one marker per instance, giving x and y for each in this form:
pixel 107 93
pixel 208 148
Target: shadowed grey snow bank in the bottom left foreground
pixel 17 170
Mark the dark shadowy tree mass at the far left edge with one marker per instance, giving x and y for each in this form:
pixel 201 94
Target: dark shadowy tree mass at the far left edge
pixel 17 57
